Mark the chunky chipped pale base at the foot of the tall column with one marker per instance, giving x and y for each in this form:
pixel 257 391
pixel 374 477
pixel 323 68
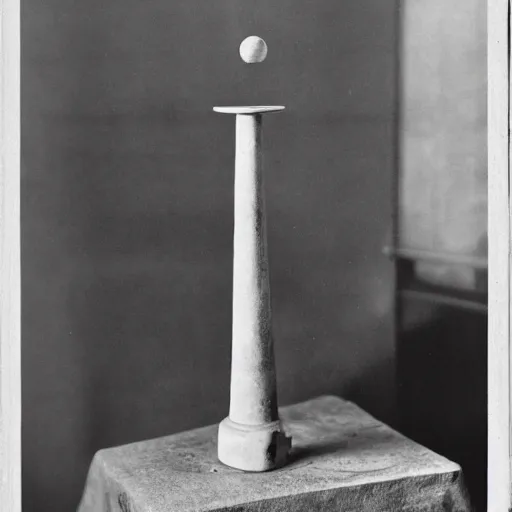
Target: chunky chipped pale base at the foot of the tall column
pixel 253 447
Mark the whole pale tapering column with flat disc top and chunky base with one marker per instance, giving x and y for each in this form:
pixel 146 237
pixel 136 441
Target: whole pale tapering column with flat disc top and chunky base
pixel 251 438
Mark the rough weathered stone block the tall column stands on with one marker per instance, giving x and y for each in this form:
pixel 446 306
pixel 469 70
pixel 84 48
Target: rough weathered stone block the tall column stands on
pixel 342 460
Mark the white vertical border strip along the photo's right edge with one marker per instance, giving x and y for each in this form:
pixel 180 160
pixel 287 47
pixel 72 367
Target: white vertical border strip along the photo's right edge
pixel 499 382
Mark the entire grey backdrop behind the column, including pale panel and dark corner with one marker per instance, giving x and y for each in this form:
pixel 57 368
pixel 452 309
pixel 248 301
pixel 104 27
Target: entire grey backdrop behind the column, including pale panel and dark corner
pixel 127 219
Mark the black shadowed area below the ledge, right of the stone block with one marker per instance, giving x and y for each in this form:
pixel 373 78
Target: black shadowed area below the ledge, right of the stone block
pixel 442 386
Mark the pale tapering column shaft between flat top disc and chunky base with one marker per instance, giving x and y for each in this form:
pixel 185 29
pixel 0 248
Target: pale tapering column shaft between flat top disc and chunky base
pixel 253 381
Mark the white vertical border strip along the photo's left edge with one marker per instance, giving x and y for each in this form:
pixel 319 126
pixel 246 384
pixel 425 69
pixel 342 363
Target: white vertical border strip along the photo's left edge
pixel 10 307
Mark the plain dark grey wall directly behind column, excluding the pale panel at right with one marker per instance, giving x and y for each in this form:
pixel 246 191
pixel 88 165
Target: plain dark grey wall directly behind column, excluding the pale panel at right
pixel 127 184
